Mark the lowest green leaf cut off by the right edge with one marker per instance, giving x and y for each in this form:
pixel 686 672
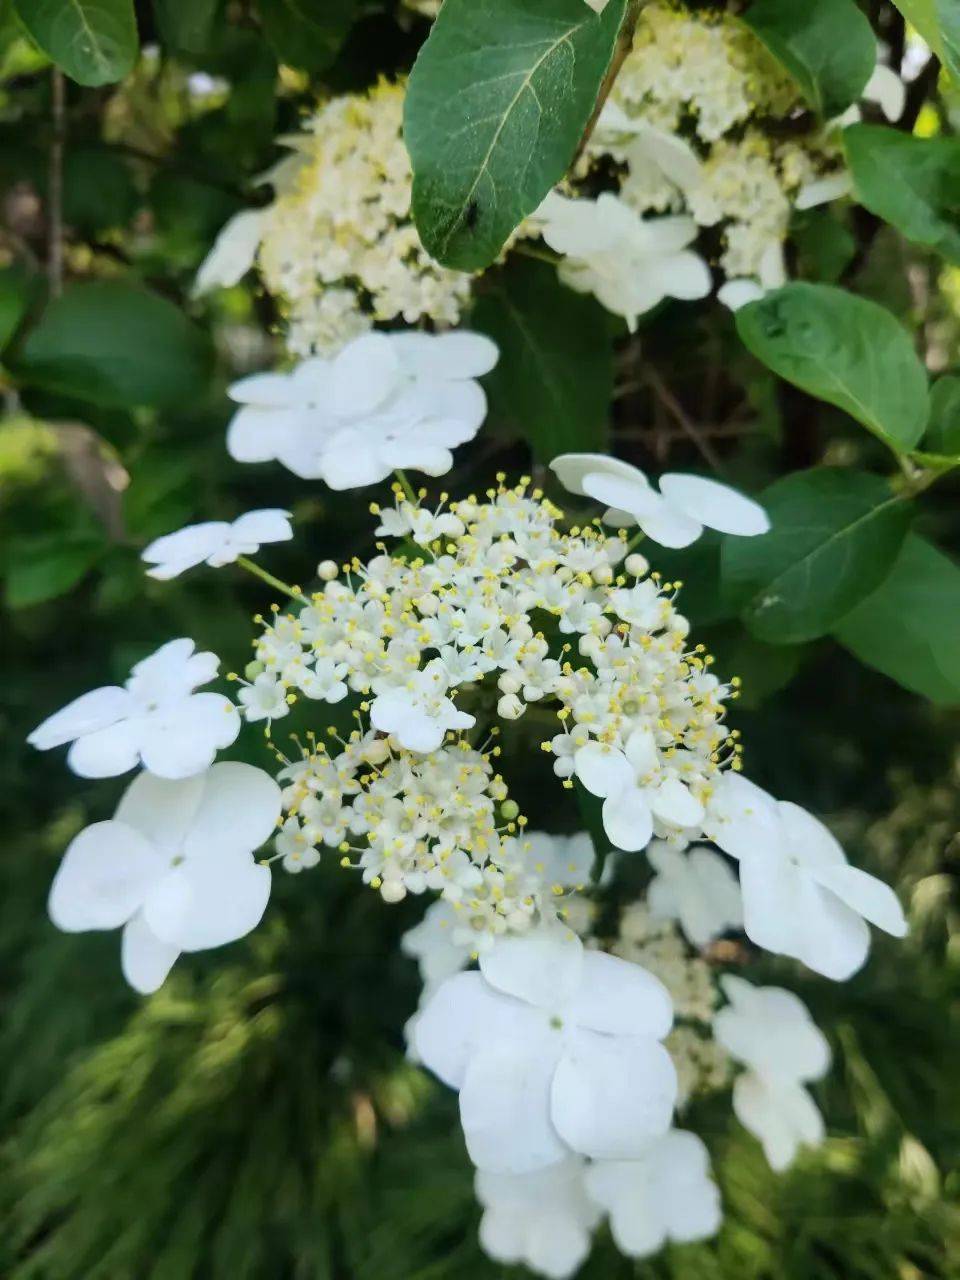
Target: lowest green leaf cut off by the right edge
pixel 909 628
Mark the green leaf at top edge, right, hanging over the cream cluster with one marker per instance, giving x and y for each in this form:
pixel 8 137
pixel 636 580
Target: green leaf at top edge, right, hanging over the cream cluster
pixel 826 45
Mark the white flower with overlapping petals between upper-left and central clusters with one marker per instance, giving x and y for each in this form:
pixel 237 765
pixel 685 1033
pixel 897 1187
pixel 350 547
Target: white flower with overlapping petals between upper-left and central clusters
pixel 387 401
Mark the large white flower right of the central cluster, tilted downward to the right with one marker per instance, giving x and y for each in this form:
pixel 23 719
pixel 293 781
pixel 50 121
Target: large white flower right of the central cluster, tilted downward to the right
pixel 802 899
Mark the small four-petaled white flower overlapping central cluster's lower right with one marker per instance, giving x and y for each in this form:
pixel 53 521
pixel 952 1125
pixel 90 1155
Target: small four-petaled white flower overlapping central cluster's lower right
pixel 636 790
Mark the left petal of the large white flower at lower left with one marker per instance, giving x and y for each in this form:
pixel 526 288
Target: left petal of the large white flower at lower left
pixel 104 877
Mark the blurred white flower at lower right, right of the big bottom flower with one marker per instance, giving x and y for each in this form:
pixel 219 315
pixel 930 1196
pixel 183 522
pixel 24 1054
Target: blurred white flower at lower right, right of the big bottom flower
pixel 771 1031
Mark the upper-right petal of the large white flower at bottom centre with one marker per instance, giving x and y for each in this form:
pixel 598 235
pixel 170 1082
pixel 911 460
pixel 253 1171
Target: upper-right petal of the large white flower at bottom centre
pixel 621 999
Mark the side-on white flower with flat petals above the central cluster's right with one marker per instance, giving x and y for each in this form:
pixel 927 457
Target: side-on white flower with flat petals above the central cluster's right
pixel 675 516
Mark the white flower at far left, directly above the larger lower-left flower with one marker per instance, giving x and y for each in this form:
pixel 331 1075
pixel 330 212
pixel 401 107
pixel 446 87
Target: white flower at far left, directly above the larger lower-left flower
pixel 157 719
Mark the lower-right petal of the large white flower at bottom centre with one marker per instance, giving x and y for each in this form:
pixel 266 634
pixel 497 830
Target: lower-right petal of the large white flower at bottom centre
pixel 611 1096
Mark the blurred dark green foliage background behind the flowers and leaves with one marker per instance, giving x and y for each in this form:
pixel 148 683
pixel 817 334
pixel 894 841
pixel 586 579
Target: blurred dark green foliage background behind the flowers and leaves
pixel 257 1118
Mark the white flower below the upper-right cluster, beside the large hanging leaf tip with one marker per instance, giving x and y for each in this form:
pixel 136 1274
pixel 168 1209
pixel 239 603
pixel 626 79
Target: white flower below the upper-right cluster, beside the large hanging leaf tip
pixel 629 263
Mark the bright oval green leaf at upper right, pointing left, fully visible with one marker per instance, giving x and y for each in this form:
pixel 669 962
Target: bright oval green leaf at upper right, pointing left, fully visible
pixel 844 350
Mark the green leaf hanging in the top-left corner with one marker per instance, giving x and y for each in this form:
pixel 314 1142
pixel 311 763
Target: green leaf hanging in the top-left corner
pixel 94 42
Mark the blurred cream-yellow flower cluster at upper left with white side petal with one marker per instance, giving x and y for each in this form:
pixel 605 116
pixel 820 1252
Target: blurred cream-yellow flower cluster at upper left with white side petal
pixel 337 248
